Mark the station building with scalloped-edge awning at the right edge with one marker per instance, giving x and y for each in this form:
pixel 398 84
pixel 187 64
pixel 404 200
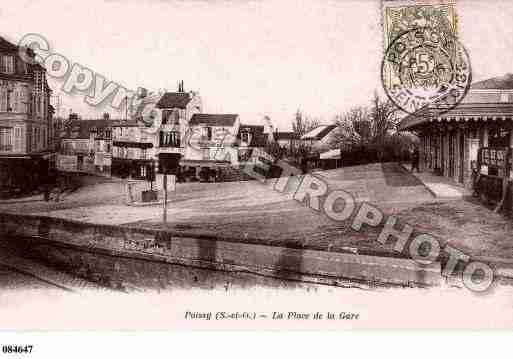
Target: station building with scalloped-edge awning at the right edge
pixel 471 143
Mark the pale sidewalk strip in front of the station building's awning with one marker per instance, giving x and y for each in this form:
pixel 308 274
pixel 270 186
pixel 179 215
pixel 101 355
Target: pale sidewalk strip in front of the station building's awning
pixel 439 186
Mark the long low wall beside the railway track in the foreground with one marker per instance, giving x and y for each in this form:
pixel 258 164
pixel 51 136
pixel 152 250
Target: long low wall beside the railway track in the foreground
pixel 100 252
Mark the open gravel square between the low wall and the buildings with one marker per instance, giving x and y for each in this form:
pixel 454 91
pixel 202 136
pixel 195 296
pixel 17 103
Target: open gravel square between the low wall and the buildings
pixel 256 213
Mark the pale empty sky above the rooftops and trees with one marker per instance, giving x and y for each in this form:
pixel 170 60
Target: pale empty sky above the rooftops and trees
pixel 254 58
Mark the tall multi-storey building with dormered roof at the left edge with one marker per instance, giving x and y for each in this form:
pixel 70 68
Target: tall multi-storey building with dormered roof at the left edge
pixel 25 120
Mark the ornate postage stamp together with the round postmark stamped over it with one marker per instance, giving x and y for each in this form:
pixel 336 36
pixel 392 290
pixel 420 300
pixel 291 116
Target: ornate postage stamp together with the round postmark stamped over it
pixel 424 62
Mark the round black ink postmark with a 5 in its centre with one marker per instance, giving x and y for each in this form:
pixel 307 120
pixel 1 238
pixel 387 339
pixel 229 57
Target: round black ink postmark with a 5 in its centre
pixel 425 66
